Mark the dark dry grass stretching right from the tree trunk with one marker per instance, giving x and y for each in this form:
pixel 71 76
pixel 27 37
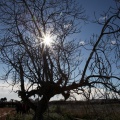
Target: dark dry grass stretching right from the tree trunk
pixel 89 112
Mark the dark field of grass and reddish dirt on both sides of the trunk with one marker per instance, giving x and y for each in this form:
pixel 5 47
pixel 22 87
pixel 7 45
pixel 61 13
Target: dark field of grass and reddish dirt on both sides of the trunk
pixel 69 112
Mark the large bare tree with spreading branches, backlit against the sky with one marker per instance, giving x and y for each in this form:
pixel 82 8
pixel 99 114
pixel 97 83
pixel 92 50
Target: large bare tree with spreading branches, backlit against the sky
pixel 47 68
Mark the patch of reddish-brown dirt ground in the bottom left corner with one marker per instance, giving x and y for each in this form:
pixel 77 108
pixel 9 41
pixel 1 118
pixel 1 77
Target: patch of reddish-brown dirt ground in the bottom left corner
pixel 5 111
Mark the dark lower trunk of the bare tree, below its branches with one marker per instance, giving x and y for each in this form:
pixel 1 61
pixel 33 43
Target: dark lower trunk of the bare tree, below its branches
pixel 41 107
